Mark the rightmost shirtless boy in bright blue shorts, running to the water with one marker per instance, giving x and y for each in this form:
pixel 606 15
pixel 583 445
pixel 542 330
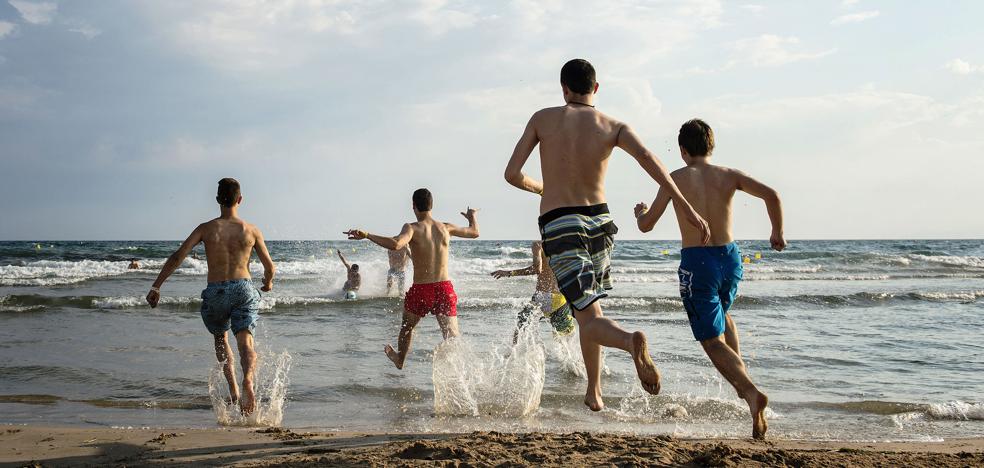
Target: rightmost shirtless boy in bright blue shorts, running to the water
pixel 709 275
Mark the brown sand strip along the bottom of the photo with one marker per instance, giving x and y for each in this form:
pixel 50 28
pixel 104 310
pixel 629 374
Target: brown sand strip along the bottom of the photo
pixel 82 446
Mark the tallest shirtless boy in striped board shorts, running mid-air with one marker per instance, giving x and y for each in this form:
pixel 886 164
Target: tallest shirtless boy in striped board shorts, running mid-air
pixel 577 230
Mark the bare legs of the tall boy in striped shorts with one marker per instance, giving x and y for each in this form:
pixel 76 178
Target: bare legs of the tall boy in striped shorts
pixel 595 331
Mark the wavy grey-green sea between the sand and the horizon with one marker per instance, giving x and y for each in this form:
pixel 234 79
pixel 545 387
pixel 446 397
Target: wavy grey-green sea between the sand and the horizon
pixel 870 340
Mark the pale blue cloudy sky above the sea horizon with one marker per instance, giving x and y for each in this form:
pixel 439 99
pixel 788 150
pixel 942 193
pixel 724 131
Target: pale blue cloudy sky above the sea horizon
pixel 118 117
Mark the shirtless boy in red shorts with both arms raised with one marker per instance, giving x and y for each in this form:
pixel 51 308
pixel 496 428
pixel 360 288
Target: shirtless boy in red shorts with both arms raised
pixel 432 291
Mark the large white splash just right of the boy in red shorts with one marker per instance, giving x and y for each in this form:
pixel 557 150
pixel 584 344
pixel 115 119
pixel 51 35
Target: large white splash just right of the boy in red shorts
pixel 508 384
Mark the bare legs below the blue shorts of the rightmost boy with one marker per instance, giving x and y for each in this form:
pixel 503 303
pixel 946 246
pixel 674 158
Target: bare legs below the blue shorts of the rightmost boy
pixel 730 365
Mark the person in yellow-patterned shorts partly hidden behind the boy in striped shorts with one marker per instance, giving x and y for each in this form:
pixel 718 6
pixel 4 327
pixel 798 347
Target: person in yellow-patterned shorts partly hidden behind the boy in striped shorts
pixel 546 298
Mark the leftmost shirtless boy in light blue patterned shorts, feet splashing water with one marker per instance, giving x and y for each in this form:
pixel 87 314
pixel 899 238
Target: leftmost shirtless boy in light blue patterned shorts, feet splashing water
pixel 230 300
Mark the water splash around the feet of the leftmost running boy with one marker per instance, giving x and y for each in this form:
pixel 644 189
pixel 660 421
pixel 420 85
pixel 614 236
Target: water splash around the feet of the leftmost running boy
pixel 271 392
